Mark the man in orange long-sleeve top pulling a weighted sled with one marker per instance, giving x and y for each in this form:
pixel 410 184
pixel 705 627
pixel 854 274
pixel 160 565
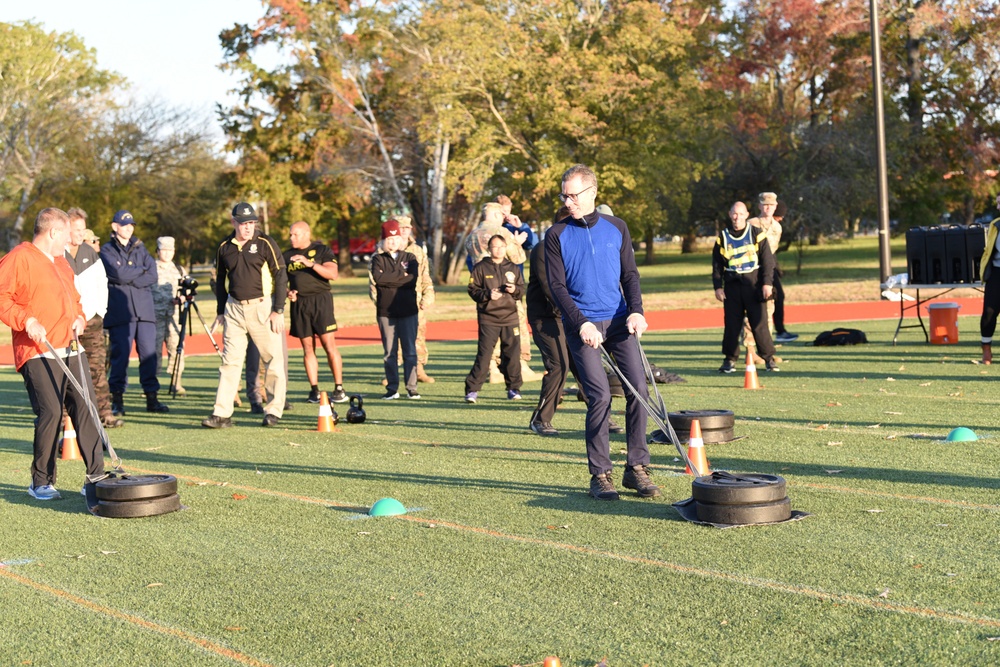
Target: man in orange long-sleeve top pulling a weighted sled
pixel 39 302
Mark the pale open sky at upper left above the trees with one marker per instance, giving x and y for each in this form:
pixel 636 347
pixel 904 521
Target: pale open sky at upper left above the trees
pixel 165 48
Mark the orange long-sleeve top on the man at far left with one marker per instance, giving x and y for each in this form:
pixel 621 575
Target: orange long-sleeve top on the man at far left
pixel 33 285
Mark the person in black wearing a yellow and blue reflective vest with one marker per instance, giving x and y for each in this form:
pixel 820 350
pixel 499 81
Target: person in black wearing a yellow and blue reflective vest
pixel 742 274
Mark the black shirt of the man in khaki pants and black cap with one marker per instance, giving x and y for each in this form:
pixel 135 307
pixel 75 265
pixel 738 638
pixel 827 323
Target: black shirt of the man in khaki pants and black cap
pixel 251 271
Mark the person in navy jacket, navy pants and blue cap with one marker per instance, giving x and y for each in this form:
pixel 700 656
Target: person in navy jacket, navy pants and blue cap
pixel 131 275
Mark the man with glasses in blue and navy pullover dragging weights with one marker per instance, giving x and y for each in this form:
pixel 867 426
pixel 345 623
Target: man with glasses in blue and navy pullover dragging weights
pixel 595 283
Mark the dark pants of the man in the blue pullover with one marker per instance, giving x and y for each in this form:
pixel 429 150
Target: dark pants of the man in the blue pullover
pixel 594 382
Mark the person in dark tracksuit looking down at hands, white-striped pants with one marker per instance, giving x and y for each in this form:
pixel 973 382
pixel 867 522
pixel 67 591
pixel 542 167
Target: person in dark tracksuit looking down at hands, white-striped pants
pixel 496 285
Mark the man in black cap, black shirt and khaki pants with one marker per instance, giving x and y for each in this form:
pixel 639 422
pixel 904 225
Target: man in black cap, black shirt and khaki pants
pixel 250 291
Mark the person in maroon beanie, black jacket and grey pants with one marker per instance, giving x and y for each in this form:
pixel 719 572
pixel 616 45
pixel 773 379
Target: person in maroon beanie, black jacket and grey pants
pixel 394 273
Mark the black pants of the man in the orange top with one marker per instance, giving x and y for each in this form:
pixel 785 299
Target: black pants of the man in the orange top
pixel 50 389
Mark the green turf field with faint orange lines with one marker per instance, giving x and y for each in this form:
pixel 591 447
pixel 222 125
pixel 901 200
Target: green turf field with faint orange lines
pixel 503 559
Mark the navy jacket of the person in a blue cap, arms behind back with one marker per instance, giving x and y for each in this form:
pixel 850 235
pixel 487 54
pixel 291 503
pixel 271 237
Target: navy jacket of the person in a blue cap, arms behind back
pixel 131 275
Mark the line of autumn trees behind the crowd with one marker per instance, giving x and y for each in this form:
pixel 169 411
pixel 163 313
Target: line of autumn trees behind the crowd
pixel 683 106
